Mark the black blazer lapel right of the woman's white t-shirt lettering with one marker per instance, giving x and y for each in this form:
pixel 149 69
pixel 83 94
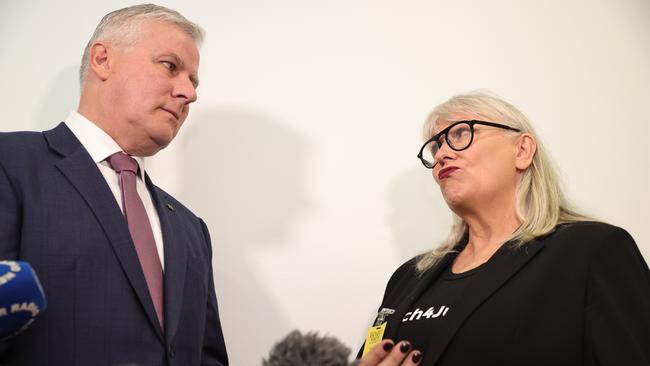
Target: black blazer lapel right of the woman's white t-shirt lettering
pixel 505 263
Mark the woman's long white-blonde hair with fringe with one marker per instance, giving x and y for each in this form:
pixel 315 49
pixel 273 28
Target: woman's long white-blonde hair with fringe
pixel 540 203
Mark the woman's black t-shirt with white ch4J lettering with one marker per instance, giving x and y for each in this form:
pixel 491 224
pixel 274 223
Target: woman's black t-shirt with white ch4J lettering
pixel 422 322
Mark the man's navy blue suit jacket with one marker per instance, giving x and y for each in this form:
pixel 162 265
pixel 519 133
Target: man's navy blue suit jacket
pixel 58 213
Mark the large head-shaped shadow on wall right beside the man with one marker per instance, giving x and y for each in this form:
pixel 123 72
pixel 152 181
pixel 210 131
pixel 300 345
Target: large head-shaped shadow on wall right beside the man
pixel 249 192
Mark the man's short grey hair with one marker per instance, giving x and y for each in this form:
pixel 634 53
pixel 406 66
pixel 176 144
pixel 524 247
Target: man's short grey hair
pixel 122 27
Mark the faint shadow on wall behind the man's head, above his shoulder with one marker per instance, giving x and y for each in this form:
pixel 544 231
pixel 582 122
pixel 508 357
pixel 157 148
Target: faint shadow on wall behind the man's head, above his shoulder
pixel 61 97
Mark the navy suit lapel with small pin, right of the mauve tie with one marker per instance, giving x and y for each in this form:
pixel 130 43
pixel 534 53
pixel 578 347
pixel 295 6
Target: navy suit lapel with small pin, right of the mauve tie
pixel 175 258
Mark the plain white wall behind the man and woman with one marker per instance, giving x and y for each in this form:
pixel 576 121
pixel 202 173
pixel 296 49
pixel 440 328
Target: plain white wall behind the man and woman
pixel 300 153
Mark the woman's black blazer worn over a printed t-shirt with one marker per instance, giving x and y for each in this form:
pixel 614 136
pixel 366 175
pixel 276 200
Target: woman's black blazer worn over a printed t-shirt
pixel 579 296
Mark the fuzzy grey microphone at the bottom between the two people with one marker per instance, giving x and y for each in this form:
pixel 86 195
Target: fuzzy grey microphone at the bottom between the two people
pixel 308 350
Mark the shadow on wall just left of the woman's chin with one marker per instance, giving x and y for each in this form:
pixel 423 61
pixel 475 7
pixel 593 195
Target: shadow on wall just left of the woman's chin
pixel 419 218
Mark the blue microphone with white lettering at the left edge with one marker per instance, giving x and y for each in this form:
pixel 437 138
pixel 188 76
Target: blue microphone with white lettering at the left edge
pixel 21 297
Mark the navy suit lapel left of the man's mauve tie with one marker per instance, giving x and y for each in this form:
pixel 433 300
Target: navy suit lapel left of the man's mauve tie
pixel 81 171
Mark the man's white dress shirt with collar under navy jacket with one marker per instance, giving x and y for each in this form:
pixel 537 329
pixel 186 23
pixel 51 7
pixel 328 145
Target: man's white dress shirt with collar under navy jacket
pixel 100 146
